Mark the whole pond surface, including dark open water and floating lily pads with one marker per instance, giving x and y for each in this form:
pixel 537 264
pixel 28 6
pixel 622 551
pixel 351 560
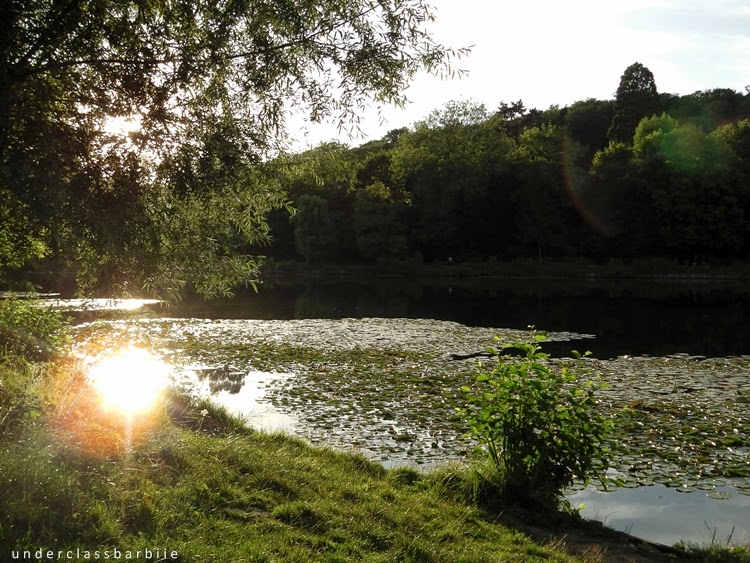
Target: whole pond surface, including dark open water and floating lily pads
pixel 368 368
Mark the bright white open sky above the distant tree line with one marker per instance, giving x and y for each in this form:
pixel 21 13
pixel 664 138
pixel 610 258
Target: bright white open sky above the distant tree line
pixel 547 52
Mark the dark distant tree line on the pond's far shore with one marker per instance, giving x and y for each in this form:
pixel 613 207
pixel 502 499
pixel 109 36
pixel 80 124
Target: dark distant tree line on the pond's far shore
pixel 643 175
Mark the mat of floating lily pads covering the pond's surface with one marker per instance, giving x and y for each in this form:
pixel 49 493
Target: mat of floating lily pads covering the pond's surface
pixel 387 388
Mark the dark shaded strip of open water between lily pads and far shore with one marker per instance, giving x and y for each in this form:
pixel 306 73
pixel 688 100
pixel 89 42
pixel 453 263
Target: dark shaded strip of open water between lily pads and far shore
pixel 626 317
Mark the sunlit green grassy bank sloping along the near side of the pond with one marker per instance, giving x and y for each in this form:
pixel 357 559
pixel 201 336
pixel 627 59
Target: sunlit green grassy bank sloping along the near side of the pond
pixel 196 482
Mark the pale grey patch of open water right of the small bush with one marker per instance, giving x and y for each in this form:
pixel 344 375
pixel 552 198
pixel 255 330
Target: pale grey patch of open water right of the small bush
pixel 663 515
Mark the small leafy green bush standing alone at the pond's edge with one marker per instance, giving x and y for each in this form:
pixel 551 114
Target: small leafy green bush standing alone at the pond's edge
pixel 537 422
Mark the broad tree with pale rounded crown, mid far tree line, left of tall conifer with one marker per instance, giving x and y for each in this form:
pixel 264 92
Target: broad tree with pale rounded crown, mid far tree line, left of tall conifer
pixel 448 163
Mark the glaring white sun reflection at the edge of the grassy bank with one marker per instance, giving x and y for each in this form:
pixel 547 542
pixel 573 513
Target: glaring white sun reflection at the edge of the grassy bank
pixel 130 380
